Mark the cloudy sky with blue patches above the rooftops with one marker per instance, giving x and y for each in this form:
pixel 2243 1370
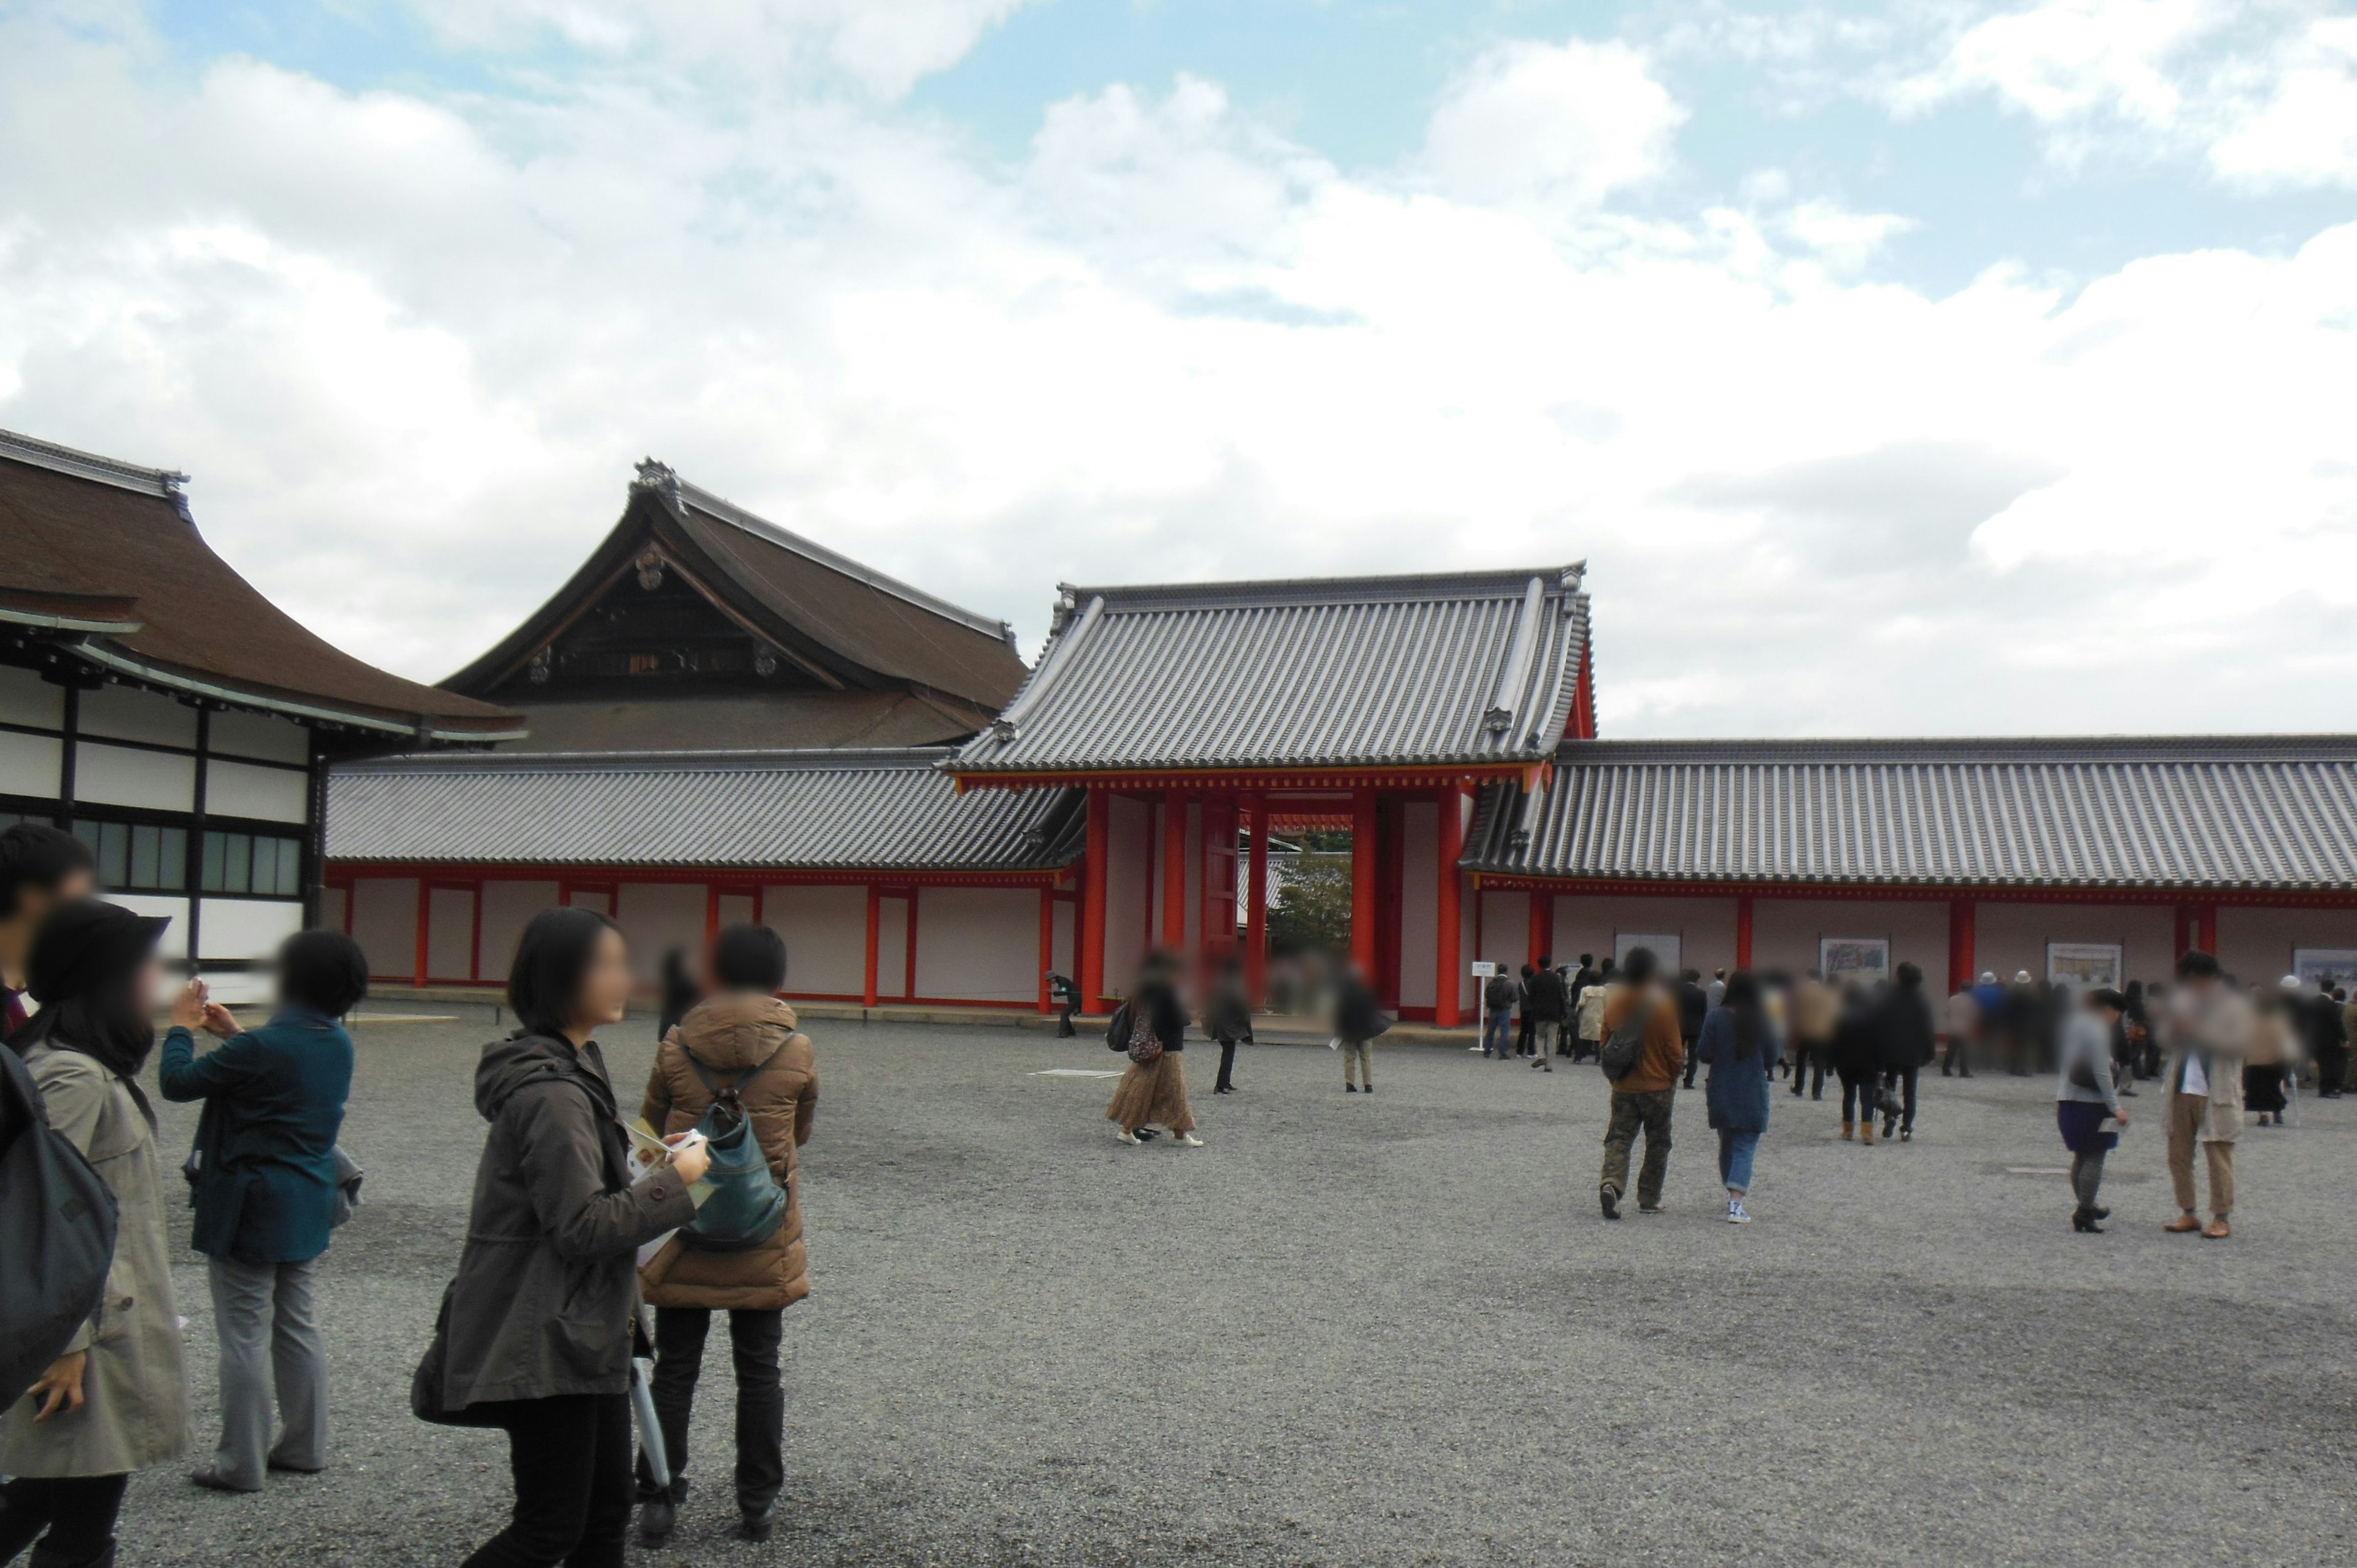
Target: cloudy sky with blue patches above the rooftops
pixel 1920 369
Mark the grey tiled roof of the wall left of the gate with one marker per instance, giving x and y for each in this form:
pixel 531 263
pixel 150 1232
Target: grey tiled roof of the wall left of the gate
pixel 819 810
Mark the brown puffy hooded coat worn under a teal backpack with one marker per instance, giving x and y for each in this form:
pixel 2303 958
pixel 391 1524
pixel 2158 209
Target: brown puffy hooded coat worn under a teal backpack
pixel 732 1036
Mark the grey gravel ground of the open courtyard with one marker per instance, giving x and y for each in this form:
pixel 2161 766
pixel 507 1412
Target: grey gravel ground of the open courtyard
pixel 1397 1331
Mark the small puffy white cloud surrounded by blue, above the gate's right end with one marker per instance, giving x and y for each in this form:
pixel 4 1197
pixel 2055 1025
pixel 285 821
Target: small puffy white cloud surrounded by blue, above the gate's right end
pixel 1552 124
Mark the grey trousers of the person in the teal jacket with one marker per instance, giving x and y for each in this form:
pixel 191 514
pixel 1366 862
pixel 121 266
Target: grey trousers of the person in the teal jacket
pixel 268 1326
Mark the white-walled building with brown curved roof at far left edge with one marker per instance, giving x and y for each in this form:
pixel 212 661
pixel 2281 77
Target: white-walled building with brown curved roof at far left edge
pixel 171 716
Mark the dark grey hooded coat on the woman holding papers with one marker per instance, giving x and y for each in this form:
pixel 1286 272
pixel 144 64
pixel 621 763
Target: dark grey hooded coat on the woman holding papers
pixel 548 1284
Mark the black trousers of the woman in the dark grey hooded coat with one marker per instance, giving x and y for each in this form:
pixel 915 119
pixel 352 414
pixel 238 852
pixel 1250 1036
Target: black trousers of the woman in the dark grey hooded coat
pixel 572 1465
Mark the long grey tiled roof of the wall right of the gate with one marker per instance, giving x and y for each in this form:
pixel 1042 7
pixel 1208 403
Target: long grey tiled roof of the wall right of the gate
pixel 2254 812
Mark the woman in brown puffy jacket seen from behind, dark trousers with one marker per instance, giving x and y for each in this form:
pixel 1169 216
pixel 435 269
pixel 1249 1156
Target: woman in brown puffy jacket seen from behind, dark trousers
pixel 739 1041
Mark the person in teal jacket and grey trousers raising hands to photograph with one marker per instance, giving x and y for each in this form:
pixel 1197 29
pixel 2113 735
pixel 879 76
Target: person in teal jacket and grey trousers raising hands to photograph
pixel 268 1197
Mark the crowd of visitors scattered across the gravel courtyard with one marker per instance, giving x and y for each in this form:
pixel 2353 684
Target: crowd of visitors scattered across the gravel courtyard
pixel 597 1251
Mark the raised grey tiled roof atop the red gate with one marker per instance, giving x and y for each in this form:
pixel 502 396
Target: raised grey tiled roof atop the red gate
pixel 1432 671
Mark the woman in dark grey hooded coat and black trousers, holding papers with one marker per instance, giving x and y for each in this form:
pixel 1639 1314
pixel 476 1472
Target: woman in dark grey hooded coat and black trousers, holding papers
pixel 539 1322
